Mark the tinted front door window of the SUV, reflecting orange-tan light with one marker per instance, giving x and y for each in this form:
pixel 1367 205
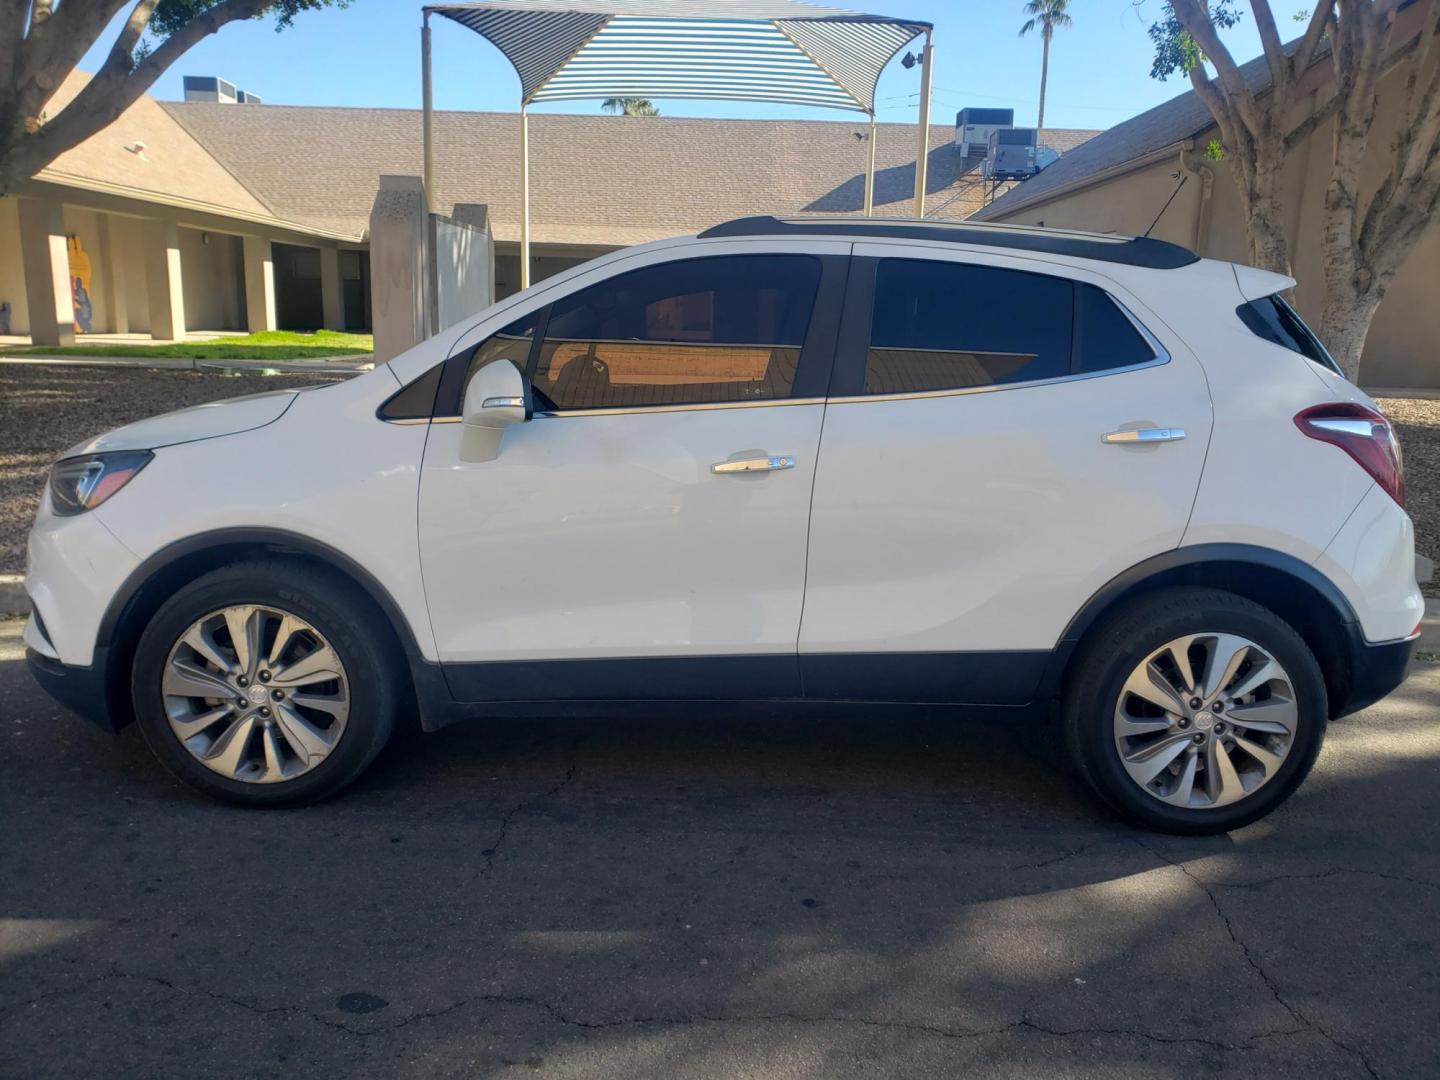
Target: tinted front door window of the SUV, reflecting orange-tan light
pixel 726 329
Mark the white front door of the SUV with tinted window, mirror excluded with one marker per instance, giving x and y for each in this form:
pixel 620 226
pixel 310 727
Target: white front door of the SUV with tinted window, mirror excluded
pixel 644 535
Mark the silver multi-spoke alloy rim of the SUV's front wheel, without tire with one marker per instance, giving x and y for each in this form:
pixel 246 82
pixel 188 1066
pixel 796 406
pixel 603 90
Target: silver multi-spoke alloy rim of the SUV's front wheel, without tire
pixel 256 695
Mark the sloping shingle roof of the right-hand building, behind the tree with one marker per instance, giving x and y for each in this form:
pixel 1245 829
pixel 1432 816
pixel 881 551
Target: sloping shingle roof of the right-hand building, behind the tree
pixel 1166 126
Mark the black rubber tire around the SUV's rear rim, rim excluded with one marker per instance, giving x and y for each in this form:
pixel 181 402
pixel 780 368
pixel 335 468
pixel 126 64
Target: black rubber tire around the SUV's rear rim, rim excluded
pixel 1121 642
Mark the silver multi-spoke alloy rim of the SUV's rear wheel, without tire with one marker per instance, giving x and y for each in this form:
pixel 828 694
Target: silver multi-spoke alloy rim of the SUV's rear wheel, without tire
pixel 1206 721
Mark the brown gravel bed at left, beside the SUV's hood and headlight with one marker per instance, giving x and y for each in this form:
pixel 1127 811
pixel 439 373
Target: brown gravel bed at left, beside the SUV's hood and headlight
pixel 45 411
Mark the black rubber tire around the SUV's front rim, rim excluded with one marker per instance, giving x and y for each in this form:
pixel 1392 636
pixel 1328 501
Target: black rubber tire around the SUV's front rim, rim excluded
pixel 339 613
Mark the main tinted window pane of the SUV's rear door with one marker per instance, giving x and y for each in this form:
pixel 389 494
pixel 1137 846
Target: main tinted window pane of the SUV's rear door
pixel 942 326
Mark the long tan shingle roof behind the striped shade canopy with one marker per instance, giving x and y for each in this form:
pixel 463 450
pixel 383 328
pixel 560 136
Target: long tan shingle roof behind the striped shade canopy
pixel 594 181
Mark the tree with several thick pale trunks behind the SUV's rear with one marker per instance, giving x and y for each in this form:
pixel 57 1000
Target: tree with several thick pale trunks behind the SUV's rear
pixel 1367 231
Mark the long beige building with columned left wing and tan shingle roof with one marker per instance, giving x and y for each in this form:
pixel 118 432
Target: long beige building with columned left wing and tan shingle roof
pixel 247 217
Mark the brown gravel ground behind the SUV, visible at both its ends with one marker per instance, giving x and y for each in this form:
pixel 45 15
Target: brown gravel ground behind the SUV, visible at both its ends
pixel 44 411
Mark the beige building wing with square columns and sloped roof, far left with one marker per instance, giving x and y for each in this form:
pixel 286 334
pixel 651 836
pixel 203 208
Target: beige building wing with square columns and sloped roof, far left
pixel 162 237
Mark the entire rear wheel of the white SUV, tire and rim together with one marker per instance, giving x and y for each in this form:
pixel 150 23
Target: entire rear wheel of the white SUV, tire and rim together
pixel 1194 711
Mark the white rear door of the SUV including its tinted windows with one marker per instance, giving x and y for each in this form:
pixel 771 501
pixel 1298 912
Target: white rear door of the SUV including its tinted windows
pixel 986 470
